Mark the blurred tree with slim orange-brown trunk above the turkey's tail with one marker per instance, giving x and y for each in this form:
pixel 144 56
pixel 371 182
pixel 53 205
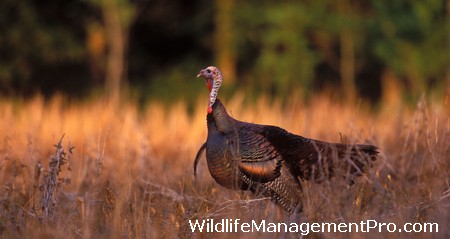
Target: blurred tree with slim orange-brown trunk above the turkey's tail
pixel 338 32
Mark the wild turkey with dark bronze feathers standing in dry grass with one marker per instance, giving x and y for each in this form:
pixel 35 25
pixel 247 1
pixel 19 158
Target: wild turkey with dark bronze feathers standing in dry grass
pixel 268 160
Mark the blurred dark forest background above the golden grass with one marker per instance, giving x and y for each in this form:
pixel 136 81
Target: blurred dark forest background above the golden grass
pixel 153 49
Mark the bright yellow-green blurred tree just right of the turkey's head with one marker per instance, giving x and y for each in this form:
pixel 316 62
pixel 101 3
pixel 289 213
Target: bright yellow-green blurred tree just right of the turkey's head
pixel 283 58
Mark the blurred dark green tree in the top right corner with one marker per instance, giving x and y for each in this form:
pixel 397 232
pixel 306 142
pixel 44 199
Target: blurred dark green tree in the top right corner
pixel 412 38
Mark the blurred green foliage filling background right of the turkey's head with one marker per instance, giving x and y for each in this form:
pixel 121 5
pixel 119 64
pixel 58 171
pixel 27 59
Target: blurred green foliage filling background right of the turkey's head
pixel 293 38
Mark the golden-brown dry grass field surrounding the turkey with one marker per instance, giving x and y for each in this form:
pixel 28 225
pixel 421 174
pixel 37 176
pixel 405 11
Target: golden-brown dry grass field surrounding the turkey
pixel 130 174
